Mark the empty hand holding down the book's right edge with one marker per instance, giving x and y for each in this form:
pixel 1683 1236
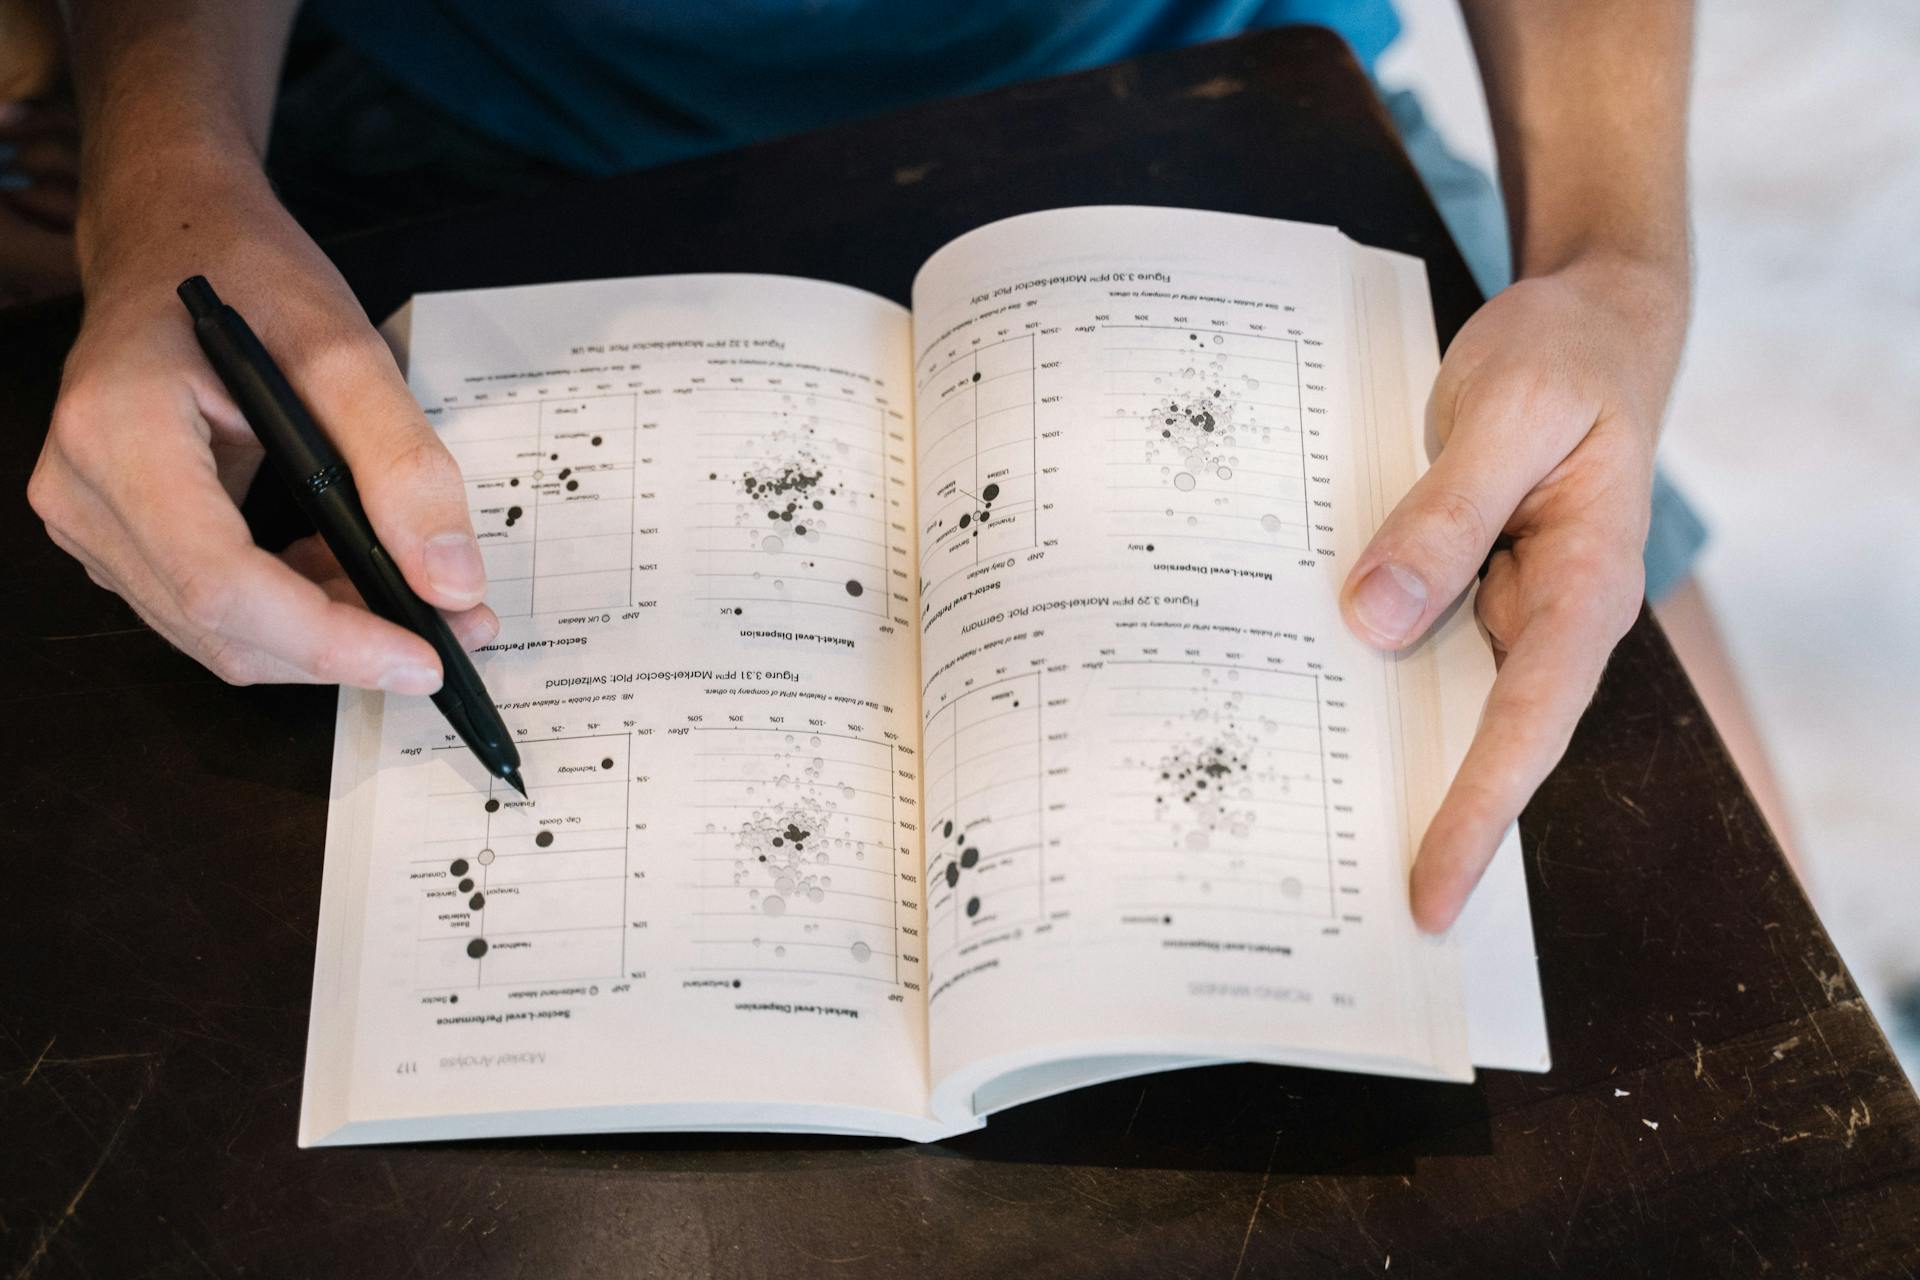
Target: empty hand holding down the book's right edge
pixel 1548 406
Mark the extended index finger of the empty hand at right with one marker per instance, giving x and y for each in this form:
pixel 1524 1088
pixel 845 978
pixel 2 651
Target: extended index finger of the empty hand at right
pixel 1539 696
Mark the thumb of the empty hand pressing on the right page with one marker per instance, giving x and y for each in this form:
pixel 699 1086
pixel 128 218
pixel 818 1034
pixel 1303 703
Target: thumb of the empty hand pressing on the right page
pixel 1433 544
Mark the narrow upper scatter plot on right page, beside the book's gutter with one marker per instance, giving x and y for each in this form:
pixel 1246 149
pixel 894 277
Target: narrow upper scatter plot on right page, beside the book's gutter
pixel 978 456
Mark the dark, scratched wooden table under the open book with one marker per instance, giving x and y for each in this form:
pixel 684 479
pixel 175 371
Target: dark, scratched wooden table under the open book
pixel 1723 1102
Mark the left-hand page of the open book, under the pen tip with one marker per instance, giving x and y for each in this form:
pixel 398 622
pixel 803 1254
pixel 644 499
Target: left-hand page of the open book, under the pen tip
pixel 692 496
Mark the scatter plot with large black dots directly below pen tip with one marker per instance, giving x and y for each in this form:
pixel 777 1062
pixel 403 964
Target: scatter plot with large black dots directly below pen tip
pixel 525 889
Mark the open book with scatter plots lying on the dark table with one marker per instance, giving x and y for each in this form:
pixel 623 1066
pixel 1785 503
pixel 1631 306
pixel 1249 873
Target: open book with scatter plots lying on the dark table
pixel 923 713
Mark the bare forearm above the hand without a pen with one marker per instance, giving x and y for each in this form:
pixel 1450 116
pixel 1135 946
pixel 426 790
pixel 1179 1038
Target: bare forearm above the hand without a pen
pixel 1589 107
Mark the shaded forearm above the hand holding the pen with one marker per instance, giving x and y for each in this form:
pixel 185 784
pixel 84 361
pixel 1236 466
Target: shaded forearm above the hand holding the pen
pixel 176 99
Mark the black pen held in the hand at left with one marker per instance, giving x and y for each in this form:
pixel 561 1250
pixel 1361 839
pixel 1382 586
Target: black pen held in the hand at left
pixel 325 490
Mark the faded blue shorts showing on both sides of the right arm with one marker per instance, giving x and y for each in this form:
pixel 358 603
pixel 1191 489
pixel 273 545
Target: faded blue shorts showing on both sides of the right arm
pixel 1472 208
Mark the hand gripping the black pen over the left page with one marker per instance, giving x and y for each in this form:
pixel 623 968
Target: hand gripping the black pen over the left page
pixel 147 458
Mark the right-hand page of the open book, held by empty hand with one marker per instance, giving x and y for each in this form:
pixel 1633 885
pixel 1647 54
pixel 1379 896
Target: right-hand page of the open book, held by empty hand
pixel 1168 795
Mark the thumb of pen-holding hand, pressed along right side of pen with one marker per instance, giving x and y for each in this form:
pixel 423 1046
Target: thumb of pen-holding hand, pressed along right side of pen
pixel 410 483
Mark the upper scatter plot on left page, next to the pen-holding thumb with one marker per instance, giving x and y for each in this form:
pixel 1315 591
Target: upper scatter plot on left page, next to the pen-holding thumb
pixel 550 485
